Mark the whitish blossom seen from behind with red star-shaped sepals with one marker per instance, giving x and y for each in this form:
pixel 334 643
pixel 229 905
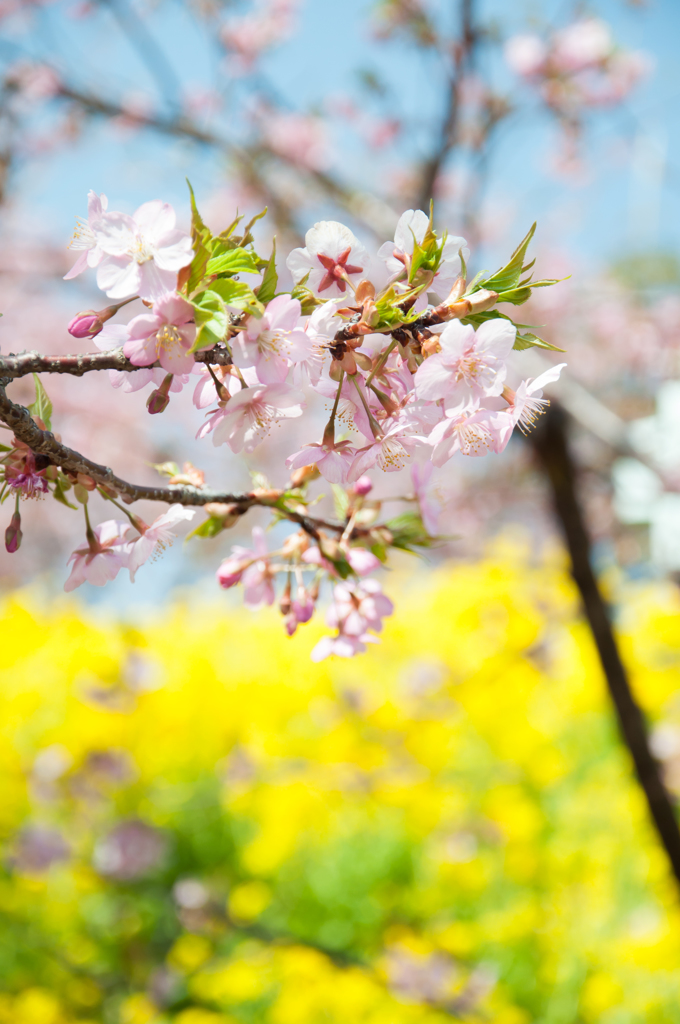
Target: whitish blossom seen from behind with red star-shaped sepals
pixel 331 252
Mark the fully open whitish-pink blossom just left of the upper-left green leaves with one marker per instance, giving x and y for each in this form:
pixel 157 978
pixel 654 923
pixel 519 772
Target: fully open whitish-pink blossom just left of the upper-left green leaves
pixel 143 253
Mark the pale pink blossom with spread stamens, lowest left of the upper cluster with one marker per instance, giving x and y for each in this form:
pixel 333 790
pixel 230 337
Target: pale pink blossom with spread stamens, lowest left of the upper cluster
pixel 245 422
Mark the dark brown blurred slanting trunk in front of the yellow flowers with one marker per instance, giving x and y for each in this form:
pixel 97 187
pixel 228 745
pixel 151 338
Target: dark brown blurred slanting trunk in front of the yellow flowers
pixel 550 444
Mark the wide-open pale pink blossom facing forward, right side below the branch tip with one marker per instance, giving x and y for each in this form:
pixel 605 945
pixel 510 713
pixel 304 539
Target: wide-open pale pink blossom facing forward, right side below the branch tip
pixel 471 366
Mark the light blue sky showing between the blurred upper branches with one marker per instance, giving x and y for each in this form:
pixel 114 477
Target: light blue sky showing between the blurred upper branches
pixel 597 221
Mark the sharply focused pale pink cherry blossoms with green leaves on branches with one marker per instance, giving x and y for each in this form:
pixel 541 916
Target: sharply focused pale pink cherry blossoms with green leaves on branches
pixel 409 359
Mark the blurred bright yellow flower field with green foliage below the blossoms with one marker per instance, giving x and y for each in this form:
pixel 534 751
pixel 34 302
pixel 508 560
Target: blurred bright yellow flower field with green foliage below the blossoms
pixel 201 826
